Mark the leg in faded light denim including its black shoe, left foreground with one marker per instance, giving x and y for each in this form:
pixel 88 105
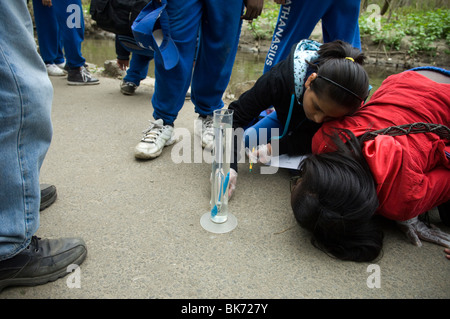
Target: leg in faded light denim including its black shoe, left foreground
pixel 25 133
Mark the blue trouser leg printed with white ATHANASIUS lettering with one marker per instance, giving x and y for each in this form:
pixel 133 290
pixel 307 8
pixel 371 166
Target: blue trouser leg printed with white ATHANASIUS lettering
pixel 296 21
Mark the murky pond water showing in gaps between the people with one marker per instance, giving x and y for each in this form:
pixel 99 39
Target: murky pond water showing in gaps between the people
pixel 247 66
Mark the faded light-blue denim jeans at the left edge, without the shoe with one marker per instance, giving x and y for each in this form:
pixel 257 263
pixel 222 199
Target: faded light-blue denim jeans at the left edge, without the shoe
pixel 26 95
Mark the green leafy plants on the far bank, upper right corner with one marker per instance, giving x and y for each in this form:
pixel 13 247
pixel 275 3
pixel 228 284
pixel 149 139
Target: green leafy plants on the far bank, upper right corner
pixel 422 27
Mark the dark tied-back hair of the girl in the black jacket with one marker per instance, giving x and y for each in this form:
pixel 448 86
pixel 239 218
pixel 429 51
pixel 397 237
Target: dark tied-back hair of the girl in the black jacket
pixel 341 75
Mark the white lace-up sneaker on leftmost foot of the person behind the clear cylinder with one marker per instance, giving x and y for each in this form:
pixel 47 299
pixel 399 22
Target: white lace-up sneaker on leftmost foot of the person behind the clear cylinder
pixel 155 138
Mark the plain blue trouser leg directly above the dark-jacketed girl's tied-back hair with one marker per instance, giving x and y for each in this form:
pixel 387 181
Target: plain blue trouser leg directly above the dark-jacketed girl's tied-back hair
pixel 340 22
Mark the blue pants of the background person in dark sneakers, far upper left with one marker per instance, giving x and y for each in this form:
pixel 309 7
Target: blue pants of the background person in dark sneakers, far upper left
pixel 56 30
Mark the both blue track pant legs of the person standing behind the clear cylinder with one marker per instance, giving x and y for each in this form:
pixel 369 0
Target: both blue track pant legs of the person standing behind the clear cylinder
pixel 220 27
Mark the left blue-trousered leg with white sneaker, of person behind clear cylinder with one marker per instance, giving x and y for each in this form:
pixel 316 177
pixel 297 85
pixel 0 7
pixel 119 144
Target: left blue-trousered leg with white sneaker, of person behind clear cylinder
pixel 171 85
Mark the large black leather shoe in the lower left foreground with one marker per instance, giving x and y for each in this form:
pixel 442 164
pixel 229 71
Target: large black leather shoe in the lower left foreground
pixel 44 260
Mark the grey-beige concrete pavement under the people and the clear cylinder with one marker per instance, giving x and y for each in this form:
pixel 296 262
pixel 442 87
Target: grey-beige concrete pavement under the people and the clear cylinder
pixel 141 221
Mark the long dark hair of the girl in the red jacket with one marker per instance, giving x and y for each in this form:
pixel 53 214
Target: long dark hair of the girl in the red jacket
pixel 336 200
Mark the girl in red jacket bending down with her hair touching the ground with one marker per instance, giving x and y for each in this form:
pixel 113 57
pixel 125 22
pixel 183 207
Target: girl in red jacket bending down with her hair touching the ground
pixel 398 173
